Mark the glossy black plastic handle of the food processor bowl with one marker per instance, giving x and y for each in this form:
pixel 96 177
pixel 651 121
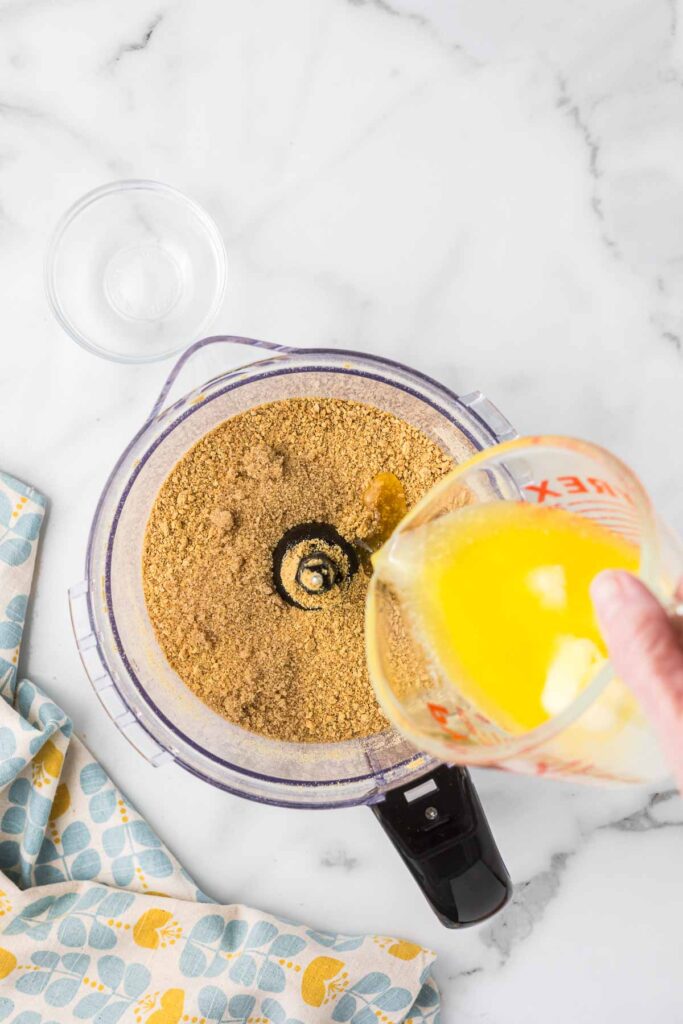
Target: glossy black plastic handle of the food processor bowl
pixel 441 831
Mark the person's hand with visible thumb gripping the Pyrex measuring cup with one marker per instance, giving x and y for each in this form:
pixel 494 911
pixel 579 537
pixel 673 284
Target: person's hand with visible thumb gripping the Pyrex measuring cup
pixel 647 650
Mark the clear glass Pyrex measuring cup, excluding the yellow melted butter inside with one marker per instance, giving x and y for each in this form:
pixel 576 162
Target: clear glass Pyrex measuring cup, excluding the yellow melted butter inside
pixel 602 735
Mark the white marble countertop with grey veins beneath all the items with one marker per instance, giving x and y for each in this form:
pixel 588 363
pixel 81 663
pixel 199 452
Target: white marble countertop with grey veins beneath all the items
pixel 491 191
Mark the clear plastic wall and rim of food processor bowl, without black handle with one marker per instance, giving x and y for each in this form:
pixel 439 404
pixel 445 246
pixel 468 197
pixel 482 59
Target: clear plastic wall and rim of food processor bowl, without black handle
pixel 143 695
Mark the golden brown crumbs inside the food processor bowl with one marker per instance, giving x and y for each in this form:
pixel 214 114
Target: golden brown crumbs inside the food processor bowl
pixel 274 643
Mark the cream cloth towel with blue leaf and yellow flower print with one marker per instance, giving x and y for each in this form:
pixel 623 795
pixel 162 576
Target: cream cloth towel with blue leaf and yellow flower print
pixel 100 923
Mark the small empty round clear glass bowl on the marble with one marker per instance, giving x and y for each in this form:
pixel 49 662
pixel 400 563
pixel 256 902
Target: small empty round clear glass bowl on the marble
pixel 136 272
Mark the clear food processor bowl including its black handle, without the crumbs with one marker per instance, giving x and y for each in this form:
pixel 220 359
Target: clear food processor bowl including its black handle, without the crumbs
pixel 431 812
